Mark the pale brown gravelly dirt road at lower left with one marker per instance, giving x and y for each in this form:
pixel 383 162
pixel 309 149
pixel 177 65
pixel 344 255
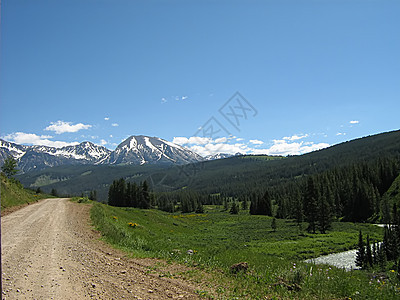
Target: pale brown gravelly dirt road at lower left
pixel 49 251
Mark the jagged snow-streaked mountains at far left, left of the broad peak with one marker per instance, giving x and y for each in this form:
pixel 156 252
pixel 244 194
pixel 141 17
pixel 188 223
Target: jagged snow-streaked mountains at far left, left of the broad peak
pixel 40 157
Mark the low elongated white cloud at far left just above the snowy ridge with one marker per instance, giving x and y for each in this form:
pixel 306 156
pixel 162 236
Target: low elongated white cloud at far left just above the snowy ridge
pixel 34 139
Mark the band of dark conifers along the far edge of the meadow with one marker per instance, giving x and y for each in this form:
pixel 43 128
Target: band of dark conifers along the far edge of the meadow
pixel 350 193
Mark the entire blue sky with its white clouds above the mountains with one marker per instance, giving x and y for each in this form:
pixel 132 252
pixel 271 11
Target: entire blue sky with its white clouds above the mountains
pixel 315 73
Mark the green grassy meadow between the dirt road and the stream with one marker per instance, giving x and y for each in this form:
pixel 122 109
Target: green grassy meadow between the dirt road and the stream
pixel 217 240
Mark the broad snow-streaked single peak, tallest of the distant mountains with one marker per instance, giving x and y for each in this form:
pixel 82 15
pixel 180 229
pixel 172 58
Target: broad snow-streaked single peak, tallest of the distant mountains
pixel 150 150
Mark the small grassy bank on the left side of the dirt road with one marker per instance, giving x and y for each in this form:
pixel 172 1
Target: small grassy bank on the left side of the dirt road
pixel 14 194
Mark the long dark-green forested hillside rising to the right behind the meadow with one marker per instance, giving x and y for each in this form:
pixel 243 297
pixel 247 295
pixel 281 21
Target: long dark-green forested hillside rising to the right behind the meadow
pixel 347 181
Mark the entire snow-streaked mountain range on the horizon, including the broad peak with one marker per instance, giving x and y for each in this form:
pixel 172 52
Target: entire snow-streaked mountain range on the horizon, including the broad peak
pixel 135 150
